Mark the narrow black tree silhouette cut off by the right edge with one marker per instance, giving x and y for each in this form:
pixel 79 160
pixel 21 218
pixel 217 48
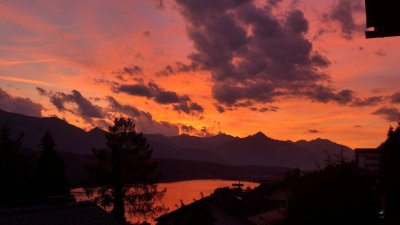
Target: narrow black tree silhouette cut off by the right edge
pixel 390 175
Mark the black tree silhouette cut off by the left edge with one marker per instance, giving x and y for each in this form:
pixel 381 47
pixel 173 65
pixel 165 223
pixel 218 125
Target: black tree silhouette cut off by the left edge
pixel 15 171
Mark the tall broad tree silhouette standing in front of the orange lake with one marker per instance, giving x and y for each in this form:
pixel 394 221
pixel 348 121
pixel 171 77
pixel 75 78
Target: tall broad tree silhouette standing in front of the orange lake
pixel 125 173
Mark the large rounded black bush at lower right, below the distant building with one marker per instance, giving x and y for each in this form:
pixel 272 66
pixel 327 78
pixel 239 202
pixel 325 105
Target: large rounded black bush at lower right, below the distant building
pixel 338 194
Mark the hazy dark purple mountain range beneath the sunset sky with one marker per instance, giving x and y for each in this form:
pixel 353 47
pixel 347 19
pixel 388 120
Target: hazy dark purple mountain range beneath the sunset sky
pixel 257 149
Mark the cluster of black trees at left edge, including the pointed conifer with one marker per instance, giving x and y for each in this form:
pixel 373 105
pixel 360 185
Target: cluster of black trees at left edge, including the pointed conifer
pixel 28 179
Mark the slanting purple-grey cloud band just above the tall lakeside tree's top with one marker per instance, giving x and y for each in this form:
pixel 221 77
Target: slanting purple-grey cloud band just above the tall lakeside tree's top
pixel 143 120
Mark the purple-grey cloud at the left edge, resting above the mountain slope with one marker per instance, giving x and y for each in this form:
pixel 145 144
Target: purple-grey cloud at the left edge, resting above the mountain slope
pixel 18 104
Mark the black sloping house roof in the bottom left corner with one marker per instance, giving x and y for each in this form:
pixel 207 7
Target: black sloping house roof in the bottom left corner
pixel 84 213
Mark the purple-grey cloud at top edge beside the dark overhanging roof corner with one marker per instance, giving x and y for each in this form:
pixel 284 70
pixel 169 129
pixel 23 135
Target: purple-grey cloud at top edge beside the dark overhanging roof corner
pixel 343 12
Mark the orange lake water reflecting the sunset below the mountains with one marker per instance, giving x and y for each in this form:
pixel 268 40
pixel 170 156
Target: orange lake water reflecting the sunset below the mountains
pixel 185 191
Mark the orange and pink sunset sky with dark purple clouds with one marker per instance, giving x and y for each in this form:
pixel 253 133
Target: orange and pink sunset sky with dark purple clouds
pixel 291 69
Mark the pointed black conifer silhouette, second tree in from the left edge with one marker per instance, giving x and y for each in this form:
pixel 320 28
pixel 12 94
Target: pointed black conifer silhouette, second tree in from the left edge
pixel 50 177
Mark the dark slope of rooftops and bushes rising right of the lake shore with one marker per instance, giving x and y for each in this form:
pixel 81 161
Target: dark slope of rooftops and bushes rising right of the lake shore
pixel 340 194
